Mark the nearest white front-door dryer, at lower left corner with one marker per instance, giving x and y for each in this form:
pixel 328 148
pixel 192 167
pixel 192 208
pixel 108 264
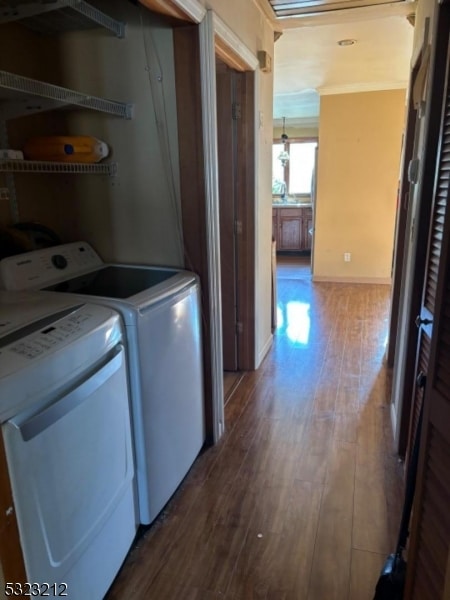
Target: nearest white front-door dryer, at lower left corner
pixel 65 423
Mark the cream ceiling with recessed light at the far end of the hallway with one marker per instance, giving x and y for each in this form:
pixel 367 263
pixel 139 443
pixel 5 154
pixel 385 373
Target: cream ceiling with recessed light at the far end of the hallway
pixel 308 62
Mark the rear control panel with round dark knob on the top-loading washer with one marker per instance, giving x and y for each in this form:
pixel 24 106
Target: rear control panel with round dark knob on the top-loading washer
pixel 40 268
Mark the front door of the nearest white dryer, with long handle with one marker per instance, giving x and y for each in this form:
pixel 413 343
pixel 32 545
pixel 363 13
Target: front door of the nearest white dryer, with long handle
pixel 71 471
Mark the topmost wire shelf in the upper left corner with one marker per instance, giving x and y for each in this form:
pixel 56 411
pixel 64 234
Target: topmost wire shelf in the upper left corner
pixel 58 16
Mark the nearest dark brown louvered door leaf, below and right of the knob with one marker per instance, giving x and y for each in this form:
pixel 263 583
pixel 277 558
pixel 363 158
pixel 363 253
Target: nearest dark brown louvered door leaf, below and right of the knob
pixel 429 555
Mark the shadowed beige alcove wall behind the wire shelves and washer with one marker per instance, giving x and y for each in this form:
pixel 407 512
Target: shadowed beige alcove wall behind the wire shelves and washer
pixel 134 217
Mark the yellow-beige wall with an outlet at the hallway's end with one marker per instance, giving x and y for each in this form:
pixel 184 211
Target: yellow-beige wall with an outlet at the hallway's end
pixel 358 169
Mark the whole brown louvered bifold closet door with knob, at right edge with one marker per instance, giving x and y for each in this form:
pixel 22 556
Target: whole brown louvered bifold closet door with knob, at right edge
pixel 428 572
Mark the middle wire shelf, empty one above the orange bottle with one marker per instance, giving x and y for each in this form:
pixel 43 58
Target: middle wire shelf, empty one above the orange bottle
pixel 63 96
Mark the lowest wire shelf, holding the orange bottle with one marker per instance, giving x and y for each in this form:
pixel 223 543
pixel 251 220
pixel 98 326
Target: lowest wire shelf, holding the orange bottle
pixel 38 166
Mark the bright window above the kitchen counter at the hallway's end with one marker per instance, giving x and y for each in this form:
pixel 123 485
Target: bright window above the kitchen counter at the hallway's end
pixel 296 176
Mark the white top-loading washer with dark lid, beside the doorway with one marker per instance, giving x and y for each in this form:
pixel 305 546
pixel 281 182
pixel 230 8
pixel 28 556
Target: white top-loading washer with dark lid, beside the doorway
pixel 161 311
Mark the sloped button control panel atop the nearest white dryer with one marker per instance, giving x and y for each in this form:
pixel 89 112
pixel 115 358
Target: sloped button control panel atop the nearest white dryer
pixel 41 357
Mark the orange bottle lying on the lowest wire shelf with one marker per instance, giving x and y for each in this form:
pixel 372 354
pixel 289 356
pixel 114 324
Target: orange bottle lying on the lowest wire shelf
pixel 66 148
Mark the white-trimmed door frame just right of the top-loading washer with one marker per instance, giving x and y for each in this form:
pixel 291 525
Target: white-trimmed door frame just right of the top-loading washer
pixel 217 38
